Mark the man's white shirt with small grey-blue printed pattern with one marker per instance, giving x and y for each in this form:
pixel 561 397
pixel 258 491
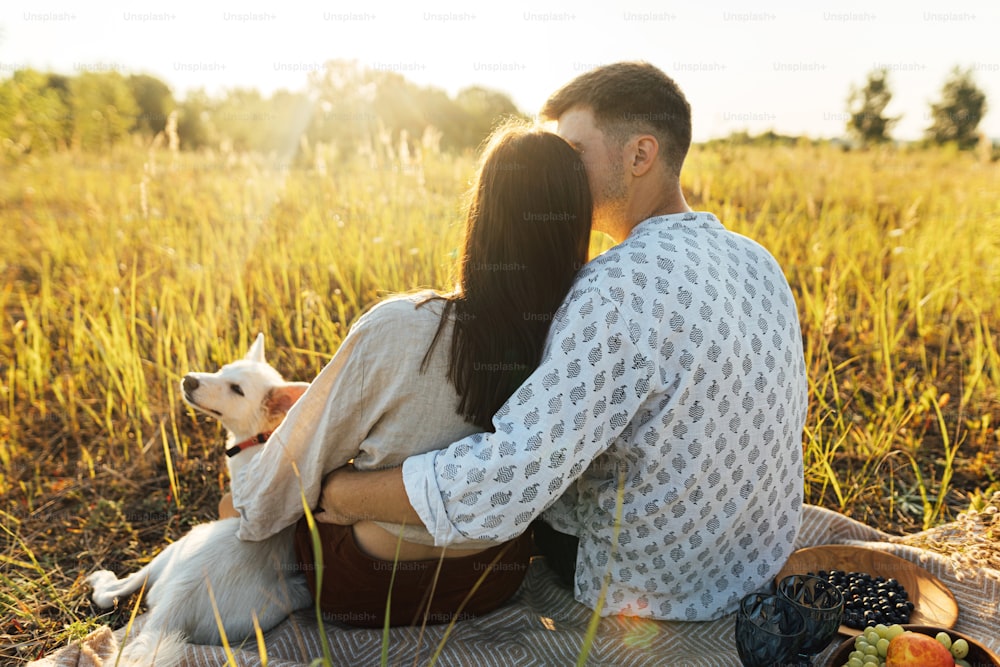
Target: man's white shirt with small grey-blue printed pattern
pixel 674 379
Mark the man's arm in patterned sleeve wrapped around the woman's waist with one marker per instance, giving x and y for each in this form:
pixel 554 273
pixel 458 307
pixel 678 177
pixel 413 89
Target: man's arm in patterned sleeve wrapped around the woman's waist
pixel 491 485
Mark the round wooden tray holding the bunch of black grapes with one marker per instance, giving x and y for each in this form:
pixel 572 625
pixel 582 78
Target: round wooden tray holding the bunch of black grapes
pixel 933 603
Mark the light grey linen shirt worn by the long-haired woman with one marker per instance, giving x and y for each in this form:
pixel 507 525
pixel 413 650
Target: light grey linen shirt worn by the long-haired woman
pixel 371 403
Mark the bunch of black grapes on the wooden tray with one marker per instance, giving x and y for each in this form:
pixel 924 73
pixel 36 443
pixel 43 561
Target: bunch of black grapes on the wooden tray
pixel 869 600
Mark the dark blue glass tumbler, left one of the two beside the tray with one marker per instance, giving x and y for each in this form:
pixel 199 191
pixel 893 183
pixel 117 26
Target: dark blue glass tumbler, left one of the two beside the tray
pixel 769 631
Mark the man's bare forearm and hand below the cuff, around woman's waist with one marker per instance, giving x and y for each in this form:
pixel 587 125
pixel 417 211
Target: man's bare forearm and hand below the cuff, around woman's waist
pixel 350 496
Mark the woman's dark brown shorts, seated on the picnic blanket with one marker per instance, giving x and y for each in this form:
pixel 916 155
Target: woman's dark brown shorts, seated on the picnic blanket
pixel 355 586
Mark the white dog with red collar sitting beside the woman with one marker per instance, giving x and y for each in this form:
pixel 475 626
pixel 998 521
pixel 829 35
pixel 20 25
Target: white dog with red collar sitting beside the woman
pixel 250 399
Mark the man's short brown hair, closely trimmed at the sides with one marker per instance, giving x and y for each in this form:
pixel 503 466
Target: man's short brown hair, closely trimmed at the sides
pixel 627 99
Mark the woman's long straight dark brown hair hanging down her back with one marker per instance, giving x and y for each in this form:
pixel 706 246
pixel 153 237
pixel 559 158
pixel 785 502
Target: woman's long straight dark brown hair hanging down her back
pixel 527 234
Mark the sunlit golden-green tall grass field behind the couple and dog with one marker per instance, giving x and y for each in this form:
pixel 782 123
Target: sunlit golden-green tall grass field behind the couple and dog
pixel 120 273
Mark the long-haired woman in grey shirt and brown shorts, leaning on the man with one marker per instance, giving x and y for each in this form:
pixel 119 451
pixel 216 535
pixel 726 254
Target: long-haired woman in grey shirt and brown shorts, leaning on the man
pixel 420 371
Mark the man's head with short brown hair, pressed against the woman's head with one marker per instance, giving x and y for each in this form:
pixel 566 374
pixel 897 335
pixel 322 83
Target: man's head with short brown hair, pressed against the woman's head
pixel 632 125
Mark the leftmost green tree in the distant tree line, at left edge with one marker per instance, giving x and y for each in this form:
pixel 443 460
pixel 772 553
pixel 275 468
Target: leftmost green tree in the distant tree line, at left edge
pixel 32 114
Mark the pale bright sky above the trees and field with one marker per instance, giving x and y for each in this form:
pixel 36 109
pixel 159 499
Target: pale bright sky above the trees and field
pixel 784 66
